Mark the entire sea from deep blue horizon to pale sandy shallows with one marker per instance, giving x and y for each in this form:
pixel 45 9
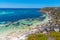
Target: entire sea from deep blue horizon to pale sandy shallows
pixel 15 21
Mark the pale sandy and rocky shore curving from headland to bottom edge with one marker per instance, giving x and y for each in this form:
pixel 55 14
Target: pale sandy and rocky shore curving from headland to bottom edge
pixel 44 28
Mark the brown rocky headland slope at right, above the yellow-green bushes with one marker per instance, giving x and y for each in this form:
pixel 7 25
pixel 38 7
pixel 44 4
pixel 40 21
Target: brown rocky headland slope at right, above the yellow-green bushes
pixel 54 14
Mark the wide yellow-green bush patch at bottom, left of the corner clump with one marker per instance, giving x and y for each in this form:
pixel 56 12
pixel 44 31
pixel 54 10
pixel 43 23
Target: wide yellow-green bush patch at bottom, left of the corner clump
pixel 38 37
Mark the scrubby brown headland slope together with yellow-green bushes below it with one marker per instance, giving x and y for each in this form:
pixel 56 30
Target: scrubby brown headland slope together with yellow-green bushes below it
pixel 53 25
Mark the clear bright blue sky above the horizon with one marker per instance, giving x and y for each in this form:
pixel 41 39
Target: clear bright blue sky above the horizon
pixel 29 3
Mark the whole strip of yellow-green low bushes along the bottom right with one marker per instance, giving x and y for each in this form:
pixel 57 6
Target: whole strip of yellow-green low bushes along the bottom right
pixel 52 35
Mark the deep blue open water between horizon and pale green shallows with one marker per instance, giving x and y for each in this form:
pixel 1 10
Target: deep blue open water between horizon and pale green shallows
pixel 10 14
